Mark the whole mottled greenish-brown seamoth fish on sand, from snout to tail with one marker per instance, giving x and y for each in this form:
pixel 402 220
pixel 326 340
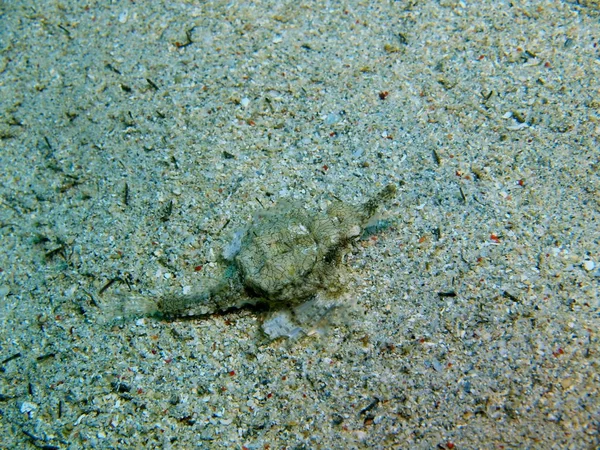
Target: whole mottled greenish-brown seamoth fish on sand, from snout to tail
pixel 286 256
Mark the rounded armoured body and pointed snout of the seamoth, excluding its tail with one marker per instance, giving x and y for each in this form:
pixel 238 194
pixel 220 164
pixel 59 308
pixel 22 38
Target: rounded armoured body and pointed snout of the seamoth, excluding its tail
pixel 288 253
